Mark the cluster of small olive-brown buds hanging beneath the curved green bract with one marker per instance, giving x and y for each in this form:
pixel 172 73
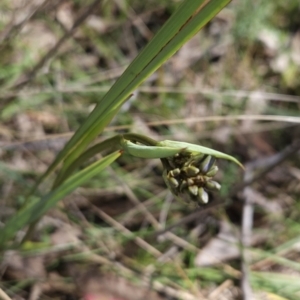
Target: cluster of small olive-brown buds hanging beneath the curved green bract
pixel 190 176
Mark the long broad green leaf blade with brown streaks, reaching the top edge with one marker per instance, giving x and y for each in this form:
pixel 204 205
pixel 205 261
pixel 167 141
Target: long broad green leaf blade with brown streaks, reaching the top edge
pixel 190 16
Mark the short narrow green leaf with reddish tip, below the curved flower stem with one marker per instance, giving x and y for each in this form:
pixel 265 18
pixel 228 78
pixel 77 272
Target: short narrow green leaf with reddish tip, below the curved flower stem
pixel 35 209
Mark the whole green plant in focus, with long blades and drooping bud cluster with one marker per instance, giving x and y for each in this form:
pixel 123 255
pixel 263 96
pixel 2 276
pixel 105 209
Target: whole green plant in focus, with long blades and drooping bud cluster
pixel 190 160
